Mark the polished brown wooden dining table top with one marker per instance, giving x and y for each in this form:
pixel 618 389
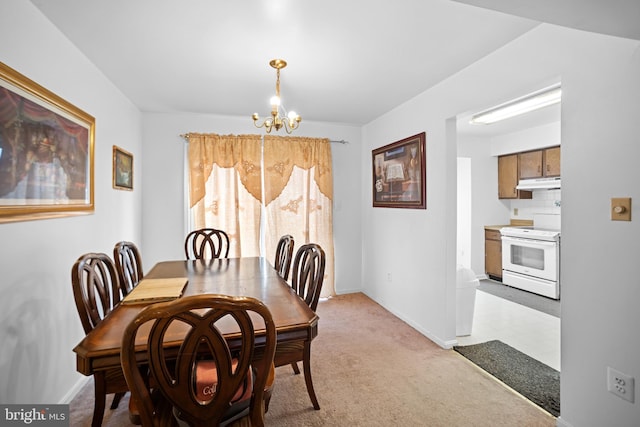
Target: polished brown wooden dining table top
pixel 254 277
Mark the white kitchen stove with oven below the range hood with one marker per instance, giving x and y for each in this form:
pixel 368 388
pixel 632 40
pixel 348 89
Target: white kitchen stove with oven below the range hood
pixel 531 257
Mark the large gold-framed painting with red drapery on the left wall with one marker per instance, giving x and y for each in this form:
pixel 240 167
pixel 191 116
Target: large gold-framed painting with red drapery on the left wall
pixel 46 152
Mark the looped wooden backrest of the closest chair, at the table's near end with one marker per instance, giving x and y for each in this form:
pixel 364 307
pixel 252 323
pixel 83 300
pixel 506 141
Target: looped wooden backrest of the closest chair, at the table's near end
pixel 175 372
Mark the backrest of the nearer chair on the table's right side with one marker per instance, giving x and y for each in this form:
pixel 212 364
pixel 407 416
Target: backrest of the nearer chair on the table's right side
pixel 308 273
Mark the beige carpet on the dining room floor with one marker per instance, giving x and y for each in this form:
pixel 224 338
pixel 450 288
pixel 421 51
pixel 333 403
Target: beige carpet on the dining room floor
pixel 372 369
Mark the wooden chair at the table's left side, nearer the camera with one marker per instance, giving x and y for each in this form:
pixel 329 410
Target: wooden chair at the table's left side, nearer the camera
pixel 96 291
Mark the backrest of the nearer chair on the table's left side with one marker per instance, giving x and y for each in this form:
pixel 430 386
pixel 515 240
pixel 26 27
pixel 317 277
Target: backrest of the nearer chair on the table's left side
pixel 96 288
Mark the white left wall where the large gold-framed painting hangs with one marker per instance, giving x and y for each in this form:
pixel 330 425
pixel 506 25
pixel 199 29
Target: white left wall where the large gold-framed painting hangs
pixel 40 324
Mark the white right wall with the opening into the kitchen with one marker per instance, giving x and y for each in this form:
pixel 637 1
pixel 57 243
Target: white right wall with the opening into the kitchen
pixel 600 107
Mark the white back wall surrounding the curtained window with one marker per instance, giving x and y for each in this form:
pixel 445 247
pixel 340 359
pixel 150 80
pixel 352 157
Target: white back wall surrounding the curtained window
pixel 164 196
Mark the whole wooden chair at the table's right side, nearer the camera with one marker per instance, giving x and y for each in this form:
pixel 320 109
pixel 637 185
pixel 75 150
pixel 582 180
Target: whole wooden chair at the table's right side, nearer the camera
pixel 308 276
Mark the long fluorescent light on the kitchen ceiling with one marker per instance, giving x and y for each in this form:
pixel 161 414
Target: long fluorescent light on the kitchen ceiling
pixel 542 98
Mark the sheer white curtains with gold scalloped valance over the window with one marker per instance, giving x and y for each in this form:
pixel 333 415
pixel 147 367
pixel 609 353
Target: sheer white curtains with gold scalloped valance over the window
pixel 225 192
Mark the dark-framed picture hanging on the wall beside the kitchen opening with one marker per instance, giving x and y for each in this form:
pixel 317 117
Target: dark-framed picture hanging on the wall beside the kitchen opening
pixel 399 174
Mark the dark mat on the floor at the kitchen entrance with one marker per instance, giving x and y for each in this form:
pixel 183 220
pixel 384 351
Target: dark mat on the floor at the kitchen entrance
pixel 528 376
